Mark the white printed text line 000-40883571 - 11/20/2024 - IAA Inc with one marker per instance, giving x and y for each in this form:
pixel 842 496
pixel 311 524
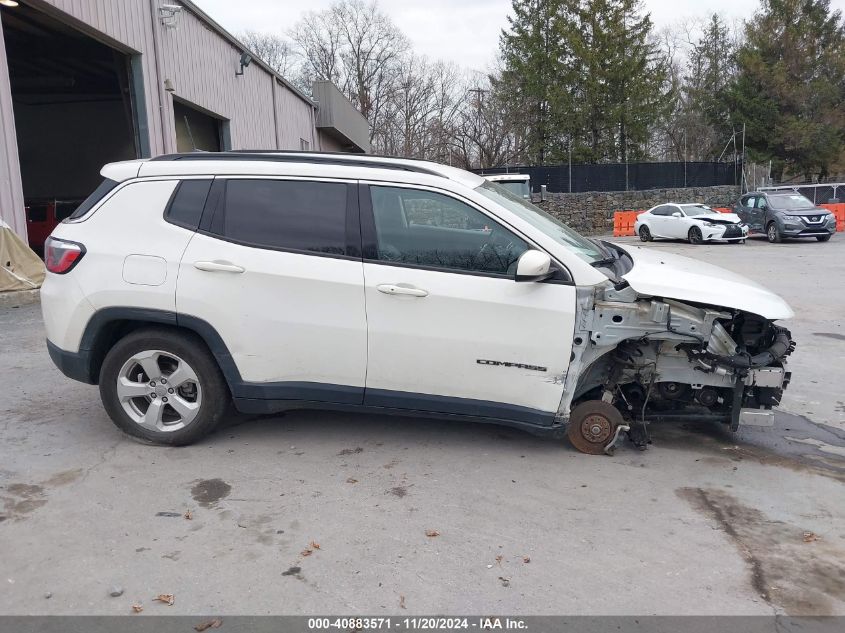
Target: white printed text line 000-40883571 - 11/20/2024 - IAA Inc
pixel 416 623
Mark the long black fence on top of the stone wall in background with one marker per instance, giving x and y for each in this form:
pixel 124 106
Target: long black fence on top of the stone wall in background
pixel 621 177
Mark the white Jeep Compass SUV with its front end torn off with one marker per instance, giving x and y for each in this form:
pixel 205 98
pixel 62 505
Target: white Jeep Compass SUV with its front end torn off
pixel 279 280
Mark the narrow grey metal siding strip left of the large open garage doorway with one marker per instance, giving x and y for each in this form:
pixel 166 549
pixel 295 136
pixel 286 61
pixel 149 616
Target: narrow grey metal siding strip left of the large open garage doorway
pixel 11 189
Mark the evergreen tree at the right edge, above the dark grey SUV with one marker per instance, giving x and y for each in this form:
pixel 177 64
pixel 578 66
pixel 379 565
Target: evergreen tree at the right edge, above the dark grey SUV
pixel 790 86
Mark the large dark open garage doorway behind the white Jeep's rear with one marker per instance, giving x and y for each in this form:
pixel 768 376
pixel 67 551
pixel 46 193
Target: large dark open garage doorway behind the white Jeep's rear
pixel 73 107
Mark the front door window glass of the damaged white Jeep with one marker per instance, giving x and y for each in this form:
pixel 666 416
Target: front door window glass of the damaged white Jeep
pixel 429 229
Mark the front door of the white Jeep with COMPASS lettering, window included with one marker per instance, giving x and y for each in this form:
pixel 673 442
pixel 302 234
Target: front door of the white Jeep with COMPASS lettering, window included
pixel 449 328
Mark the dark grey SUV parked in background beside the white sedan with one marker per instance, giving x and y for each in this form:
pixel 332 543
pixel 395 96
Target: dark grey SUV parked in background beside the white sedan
pixel 780 214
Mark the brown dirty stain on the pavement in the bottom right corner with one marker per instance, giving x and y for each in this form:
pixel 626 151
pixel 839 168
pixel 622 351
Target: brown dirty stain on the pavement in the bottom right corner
pixel 801 578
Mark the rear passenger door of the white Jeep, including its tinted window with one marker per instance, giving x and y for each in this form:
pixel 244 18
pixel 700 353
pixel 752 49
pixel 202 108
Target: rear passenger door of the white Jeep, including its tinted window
pixel 275 268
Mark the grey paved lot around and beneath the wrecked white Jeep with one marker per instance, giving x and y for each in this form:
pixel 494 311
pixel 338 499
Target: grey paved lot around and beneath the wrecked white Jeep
pixel 701 523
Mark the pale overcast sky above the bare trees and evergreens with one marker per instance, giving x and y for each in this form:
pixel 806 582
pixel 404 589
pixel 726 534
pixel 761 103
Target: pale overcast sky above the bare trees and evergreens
pixel 463 31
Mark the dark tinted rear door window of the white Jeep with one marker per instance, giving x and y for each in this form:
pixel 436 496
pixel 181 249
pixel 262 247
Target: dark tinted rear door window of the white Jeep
pixel 287 214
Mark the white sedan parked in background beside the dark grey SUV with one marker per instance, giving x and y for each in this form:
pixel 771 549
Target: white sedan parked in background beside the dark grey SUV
pixel 697 223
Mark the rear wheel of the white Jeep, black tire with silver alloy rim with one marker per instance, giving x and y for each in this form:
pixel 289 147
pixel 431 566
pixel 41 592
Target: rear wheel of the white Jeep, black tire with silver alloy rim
pixel 163 386
